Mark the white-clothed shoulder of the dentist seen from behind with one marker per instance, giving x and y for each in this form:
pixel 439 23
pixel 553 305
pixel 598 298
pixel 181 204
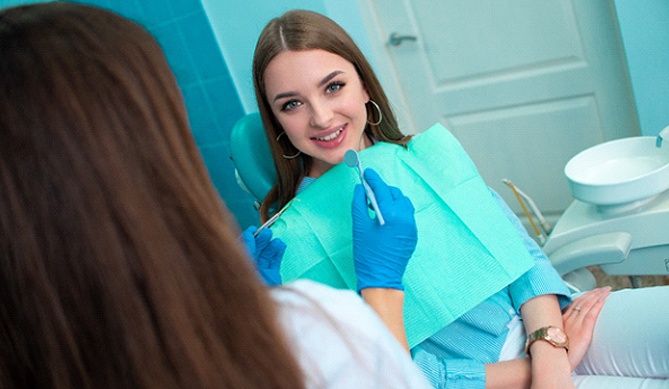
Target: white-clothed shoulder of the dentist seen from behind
pixel 340 341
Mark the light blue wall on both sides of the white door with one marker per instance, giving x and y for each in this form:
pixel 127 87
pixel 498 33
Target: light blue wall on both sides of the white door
pixel 643 25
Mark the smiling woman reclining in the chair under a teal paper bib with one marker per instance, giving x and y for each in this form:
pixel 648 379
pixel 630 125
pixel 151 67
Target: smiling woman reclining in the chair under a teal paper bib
pixel 466 235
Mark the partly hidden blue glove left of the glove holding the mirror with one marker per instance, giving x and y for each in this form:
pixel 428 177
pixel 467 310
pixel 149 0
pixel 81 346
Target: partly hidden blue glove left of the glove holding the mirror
pixel 266 253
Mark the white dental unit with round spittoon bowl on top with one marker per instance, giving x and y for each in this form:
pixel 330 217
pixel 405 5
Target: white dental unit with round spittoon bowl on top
pixel 620 215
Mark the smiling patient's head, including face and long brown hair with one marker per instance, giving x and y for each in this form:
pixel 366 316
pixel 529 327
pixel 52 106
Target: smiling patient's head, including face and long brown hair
pixel 306 43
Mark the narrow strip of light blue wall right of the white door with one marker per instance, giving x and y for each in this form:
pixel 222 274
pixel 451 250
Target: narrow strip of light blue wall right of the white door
pixel 645 30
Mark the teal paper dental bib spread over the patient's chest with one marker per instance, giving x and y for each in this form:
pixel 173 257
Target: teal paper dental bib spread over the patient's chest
pixel 467 249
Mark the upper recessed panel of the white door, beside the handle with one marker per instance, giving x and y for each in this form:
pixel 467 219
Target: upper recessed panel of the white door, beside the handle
pixel 548 41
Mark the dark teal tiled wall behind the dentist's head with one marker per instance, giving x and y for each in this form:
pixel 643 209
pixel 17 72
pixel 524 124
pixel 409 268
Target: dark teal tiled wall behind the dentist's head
pixel 183 30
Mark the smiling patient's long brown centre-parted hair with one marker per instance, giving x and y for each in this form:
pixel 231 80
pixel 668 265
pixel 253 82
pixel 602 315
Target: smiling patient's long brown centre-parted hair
pixel 300 30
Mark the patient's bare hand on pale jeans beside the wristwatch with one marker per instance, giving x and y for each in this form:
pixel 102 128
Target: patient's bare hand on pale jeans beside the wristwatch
pixel 579 320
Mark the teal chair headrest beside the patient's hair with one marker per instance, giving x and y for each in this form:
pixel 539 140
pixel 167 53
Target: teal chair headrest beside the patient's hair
pixel 251 156
